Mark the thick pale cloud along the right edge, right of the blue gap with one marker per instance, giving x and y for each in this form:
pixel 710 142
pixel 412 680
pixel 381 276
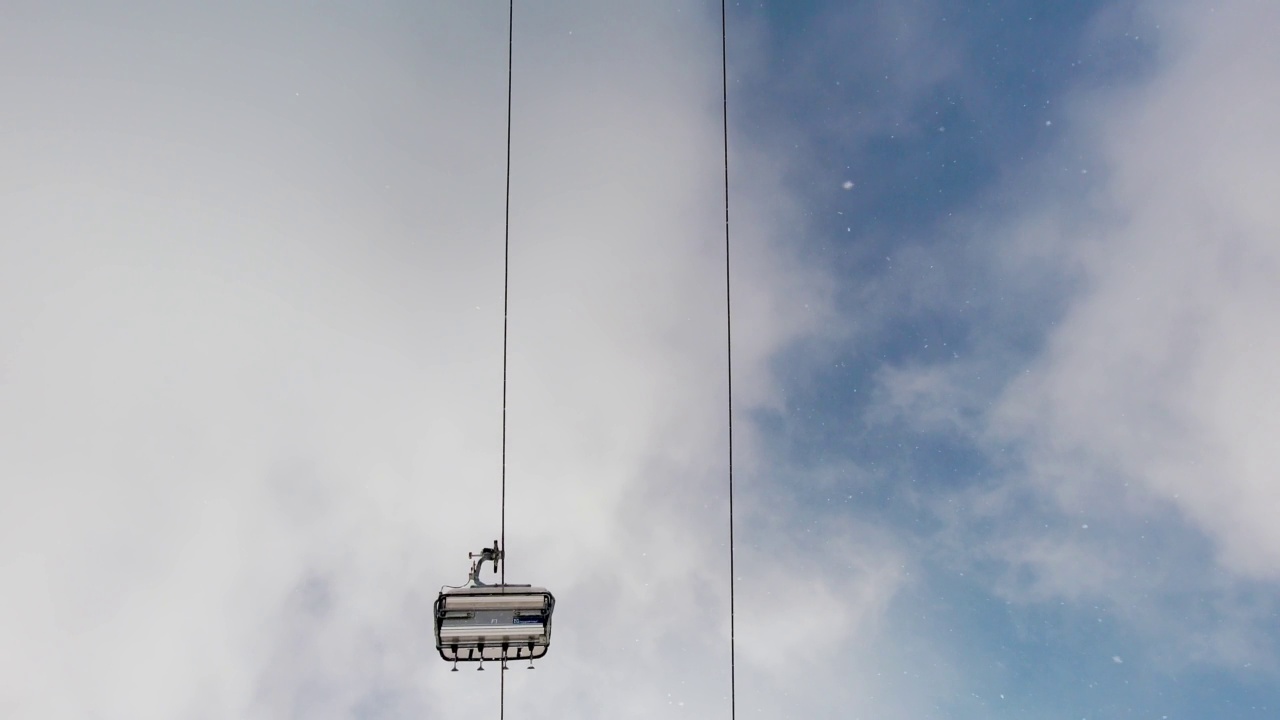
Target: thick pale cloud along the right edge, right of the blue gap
pixel 1159 373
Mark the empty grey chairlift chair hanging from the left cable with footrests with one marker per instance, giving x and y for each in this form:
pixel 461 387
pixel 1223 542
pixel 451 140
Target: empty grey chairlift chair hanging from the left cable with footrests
pixel 482 622
